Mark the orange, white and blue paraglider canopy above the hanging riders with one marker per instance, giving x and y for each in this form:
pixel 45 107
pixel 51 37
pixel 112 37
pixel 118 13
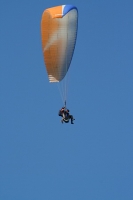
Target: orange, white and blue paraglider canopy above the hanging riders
pixel 59 31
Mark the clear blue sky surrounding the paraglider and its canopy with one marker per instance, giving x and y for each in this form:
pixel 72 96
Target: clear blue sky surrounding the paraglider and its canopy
pixel 40 158
